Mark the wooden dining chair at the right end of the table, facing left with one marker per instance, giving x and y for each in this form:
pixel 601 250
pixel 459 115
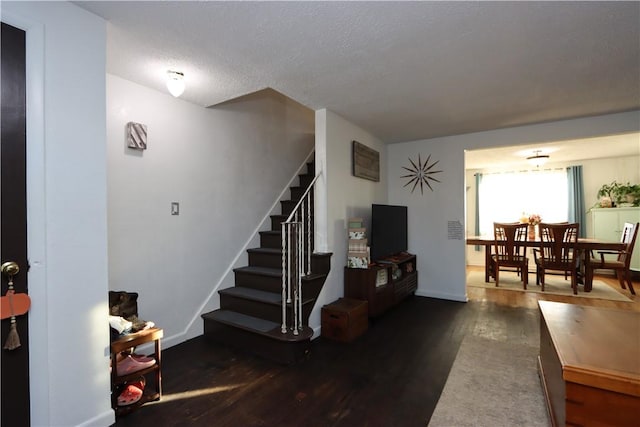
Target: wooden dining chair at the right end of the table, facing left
pixel 622 262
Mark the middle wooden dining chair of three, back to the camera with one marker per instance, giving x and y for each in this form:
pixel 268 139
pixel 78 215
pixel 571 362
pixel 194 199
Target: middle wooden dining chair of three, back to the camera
pixel 557 252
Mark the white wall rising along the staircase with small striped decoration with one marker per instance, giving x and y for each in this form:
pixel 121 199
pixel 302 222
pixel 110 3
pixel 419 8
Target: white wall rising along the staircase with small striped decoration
pixel 226 166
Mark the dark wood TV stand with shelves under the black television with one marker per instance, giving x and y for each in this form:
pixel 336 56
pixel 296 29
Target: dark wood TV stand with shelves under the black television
pixel 377 284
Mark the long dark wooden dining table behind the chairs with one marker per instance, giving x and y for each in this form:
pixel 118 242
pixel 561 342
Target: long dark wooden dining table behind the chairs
pixel 584 245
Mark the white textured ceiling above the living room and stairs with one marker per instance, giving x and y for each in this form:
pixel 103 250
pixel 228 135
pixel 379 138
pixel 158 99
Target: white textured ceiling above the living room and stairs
pixel 402 70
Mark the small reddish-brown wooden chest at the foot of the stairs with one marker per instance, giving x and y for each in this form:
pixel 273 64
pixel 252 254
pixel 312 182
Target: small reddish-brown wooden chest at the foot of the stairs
pixel 345 319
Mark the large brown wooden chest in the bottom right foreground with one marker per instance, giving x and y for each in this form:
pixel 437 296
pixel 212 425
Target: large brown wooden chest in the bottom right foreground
pixel 589 364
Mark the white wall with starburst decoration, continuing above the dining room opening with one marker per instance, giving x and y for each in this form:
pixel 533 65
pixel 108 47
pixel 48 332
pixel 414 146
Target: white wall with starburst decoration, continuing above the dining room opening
pixel 441 261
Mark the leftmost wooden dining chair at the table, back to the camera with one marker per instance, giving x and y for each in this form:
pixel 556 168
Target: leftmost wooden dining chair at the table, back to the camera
pixel 508 250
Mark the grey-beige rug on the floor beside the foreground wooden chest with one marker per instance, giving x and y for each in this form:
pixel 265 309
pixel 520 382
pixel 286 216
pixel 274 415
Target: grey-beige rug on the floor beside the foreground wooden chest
pixel 492 383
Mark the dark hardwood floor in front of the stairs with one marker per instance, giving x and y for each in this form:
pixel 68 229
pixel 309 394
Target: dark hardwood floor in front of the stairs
pixel 391 376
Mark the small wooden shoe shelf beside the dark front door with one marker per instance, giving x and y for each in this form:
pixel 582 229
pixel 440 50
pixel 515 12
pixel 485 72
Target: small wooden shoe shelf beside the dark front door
pixel 123 344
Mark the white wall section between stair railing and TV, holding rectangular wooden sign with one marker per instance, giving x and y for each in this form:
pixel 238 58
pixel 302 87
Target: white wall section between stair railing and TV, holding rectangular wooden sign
pixel 340 196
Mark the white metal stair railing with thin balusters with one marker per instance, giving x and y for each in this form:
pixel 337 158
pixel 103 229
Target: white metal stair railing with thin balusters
pixel 297 235
